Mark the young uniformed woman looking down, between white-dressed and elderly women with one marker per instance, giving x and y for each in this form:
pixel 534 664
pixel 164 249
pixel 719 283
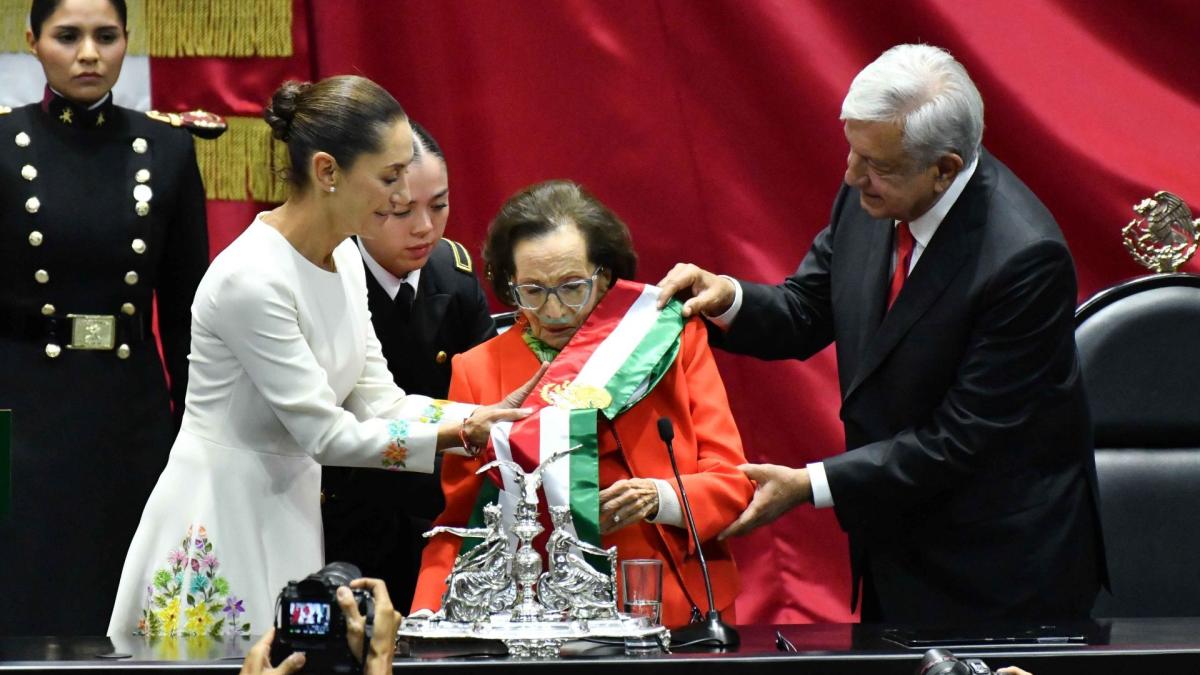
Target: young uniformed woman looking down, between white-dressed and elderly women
pixel 427 306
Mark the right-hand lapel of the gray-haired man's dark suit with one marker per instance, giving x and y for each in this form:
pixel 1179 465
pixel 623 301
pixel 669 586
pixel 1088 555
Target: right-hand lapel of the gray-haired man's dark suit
pixel 946 254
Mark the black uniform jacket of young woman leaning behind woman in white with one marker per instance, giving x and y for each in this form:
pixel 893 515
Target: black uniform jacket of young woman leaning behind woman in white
pixel 375 519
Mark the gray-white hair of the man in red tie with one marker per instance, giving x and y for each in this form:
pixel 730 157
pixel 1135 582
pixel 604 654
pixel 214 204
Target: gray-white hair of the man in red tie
pixel 928 94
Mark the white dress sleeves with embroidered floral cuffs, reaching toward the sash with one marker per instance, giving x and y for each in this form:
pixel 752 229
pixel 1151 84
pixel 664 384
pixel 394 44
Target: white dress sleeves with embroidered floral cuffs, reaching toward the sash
pixel 257 319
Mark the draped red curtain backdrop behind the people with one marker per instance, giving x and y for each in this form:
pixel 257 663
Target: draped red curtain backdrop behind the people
pixel 712 129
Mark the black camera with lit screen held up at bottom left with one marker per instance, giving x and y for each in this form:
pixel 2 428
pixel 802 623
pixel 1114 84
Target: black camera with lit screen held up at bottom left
pixel 308 619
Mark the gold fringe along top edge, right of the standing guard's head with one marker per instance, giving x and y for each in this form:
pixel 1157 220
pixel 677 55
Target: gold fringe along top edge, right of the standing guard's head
pixel 219 28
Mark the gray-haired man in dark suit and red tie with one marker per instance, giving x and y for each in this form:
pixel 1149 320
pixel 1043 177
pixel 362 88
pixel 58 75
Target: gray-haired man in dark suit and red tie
pixel 969 487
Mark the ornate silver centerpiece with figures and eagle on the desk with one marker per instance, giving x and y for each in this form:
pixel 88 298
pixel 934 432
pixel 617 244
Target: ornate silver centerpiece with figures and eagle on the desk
pixel 497 589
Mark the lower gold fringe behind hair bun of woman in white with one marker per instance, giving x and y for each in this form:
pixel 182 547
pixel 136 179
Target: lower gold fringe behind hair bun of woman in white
pixel 244 164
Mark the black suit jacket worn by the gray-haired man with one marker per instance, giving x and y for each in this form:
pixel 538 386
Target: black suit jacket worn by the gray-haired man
pixel 969 489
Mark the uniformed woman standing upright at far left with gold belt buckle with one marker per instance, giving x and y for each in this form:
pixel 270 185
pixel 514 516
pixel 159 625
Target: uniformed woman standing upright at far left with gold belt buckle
pixel 101 214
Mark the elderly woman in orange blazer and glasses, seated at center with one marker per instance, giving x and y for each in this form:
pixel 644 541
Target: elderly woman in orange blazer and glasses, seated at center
pixel 555 252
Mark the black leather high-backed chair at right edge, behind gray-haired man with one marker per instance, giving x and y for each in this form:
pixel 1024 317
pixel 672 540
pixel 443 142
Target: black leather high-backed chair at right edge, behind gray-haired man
pixel 1139 345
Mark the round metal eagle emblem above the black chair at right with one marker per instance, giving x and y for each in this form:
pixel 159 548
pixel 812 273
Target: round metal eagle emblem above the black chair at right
pixel 1166 237
